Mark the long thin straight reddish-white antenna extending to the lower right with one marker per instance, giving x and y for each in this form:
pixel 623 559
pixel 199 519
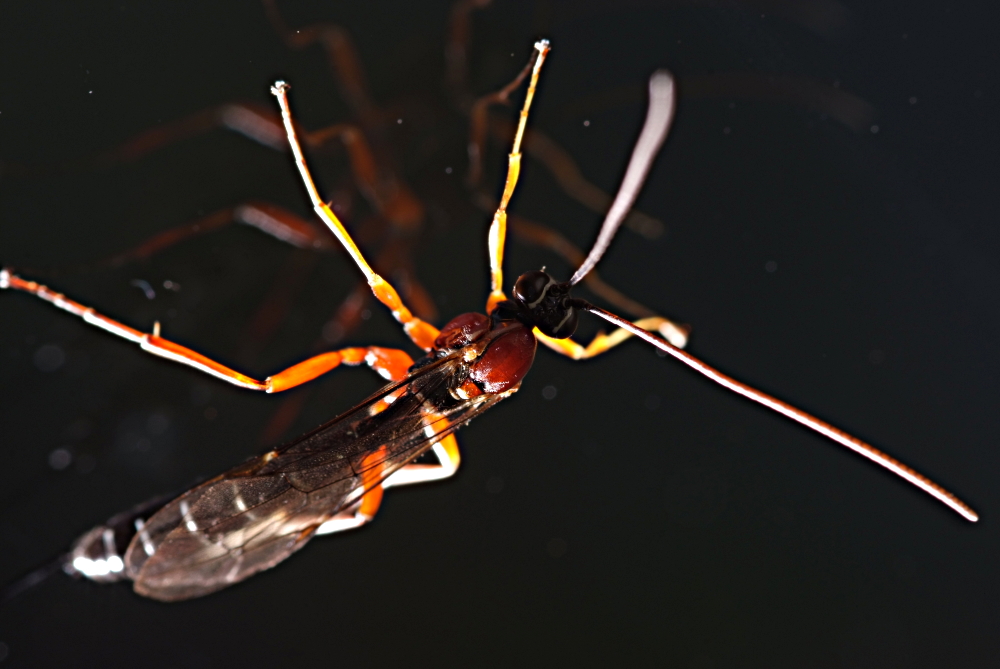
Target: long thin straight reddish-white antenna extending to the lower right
pixel 799 416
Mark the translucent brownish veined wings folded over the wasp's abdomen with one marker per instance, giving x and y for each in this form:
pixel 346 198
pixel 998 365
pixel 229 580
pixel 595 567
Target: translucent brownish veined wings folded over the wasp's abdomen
pixel 256 515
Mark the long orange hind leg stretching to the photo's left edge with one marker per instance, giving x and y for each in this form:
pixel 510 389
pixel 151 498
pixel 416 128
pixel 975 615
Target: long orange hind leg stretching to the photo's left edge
pixel 391 363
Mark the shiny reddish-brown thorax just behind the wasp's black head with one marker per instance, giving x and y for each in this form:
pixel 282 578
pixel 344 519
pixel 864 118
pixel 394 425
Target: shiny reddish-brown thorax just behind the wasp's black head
pixel 507 353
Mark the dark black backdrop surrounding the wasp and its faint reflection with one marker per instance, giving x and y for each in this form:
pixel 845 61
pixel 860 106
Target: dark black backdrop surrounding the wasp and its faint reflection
pixel 642 516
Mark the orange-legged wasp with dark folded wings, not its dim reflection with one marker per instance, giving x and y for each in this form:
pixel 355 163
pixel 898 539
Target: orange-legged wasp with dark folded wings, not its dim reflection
pixel 332 479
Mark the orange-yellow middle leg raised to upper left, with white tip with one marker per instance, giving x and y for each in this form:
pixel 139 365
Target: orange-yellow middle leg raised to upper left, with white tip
pixel 422 333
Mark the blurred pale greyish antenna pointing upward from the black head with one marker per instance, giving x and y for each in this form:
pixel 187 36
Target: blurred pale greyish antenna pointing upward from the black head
pixel 654 131
